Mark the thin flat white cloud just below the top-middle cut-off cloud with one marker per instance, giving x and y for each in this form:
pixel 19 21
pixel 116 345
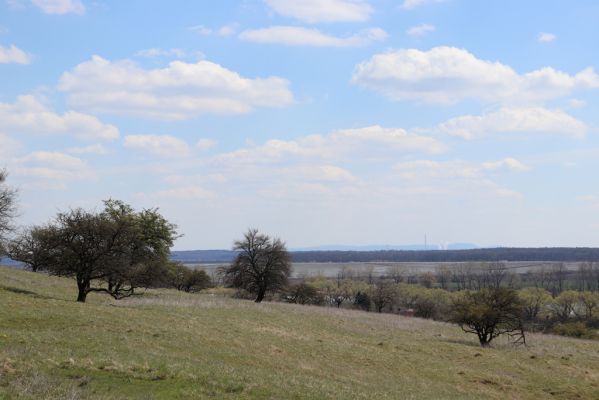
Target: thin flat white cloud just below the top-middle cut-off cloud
pixel 298 36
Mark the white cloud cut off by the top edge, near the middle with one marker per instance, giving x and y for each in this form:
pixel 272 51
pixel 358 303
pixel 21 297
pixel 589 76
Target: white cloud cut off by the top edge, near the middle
pixel 313 11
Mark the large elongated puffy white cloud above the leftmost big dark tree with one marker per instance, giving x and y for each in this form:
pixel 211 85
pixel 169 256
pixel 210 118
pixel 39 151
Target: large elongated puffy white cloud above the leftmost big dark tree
pixel 179 91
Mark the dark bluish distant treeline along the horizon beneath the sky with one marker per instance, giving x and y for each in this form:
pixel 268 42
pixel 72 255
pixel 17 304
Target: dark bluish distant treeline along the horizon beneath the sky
pixel 565 254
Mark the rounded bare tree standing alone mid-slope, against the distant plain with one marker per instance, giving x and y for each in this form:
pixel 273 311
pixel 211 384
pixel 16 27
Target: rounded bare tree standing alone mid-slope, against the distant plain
pixel 262 265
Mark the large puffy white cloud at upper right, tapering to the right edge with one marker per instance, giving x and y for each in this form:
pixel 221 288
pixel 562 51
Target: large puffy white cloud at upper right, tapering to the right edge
pixel 448 75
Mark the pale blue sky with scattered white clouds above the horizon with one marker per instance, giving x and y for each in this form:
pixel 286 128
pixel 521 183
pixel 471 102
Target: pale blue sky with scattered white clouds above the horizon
pixel 322 122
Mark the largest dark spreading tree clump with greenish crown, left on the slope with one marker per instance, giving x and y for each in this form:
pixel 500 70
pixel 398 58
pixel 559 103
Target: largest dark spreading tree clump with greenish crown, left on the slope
pixel 118 248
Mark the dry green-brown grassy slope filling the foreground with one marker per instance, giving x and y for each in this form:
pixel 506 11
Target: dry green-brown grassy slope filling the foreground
pixel 170 345
